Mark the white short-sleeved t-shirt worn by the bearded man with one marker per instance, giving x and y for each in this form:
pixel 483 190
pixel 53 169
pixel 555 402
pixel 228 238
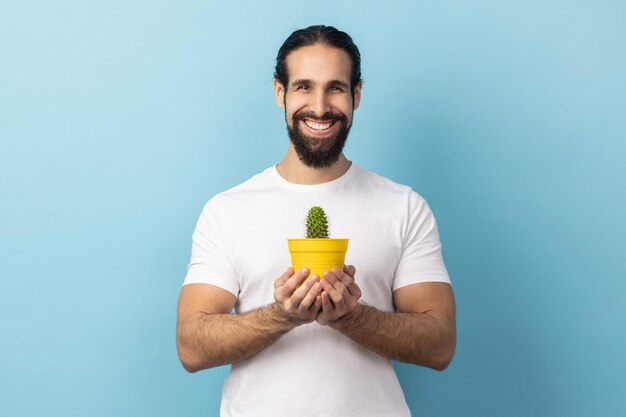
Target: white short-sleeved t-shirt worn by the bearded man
pixel 240 245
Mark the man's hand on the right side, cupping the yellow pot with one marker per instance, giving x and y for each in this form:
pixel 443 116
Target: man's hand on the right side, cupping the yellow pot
pixel 340 295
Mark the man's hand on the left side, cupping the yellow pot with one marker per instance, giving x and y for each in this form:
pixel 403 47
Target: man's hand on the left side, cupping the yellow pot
pixel 300 304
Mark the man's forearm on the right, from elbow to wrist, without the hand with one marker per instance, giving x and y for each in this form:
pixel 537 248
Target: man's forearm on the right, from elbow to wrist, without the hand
pixel 426 339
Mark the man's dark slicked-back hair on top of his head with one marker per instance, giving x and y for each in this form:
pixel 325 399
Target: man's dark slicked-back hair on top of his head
pixel 326 35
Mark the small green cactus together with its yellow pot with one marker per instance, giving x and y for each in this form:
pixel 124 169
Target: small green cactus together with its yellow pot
pixel 317 251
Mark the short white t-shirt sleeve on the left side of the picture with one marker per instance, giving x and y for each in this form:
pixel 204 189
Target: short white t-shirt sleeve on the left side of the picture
pixel 210 262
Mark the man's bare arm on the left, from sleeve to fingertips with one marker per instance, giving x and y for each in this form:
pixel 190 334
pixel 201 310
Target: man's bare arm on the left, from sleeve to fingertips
pixel 208 335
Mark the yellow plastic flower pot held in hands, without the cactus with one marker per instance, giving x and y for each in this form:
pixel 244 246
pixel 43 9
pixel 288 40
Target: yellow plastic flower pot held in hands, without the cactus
pixel 318 255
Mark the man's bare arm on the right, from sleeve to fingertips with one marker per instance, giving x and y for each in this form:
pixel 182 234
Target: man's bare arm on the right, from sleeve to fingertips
pixel 423 331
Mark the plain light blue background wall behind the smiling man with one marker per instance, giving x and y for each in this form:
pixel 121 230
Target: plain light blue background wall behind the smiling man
pixel 118 120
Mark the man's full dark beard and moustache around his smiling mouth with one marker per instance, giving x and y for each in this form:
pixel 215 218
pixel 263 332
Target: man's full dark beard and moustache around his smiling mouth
pixel 318 152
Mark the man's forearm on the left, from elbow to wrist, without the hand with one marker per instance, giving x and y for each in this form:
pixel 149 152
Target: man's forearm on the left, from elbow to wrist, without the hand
pixel 208 340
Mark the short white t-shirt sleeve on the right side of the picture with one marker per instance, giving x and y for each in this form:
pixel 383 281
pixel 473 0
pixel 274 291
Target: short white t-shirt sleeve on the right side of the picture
pixel 421 259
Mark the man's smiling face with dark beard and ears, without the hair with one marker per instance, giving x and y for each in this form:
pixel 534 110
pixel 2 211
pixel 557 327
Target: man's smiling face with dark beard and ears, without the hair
pixel 318 103
